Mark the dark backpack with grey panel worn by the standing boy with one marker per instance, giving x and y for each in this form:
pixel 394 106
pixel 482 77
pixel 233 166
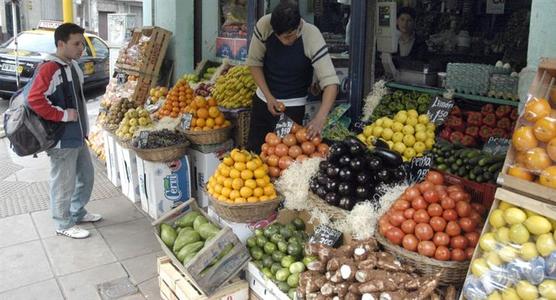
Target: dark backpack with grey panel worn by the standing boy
pixel 28 132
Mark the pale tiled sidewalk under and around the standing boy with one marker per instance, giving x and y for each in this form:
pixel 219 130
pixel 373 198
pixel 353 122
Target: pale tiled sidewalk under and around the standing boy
pixel 35 263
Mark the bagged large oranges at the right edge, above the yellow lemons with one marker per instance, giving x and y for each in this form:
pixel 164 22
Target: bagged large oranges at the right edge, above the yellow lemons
pixel 534 144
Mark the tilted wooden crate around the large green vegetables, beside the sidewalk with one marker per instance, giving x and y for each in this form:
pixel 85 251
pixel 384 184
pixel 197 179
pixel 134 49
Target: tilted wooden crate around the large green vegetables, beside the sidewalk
pixel 207 282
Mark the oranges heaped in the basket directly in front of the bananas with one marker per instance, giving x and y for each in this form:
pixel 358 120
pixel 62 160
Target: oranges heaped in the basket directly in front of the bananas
pixel 206 115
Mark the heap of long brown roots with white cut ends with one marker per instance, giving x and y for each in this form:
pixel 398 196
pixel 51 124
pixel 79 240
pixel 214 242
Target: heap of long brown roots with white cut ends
pixel 358 270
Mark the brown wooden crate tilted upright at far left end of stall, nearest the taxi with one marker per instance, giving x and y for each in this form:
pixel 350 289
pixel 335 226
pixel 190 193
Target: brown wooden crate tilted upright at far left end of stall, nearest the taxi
pixel 155 50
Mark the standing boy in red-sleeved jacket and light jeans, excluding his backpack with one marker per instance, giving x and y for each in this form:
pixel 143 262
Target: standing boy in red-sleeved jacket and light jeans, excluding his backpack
pixel 56 95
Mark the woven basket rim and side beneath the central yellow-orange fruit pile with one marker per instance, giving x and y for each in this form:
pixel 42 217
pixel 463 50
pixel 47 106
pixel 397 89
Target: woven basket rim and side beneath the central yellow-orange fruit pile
pixel 245 212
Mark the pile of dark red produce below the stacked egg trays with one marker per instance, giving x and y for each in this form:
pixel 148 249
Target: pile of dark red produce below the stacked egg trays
pixel 473 128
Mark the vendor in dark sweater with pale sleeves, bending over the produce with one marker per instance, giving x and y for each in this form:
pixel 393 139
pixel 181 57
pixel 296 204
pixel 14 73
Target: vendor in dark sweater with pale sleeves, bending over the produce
pixel 284 53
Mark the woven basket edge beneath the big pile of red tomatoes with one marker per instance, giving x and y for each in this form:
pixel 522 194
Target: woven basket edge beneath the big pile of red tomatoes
pixel 451 272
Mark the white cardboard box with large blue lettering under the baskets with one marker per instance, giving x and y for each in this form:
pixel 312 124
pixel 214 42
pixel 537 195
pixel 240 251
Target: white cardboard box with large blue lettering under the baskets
pixel 163 186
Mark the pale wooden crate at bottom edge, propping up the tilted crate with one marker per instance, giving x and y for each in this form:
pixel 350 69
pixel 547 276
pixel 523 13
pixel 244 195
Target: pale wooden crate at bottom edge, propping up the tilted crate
pixel 175 286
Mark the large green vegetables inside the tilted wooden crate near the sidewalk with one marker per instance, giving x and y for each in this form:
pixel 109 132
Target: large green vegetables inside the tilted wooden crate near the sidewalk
pixel 188 235
